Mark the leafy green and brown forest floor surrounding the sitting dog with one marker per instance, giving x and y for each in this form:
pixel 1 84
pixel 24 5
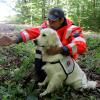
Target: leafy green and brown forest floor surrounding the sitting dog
pixel 16 63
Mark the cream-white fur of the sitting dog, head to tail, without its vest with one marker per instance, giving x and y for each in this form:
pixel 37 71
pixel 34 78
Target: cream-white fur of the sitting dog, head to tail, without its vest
pixel 55 73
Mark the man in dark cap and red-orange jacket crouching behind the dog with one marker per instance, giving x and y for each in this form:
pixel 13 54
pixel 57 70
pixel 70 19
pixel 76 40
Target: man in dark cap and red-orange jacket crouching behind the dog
pixel 70 35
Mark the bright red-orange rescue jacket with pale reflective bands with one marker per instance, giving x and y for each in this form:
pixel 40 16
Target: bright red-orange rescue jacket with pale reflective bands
pixel 70 36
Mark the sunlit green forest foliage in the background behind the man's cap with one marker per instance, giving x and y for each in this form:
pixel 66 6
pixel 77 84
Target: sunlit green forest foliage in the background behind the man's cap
pixel 83 12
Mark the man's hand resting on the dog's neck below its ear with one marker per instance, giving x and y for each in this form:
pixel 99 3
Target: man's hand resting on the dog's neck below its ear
pixel 53 50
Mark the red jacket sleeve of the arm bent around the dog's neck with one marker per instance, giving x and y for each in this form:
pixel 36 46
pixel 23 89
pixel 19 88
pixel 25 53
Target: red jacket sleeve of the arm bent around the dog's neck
pixel 77 43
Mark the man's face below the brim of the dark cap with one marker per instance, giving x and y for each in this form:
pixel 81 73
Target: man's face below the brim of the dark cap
pixel 55 24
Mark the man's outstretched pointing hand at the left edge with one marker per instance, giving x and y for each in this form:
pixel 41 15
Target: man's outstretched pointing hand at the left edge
pixel 6 40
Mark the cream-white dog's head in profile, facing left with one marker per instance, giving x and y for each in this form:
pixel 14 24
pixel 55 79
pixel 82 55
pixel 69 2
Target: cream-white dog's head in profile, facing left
pixel 48 37
